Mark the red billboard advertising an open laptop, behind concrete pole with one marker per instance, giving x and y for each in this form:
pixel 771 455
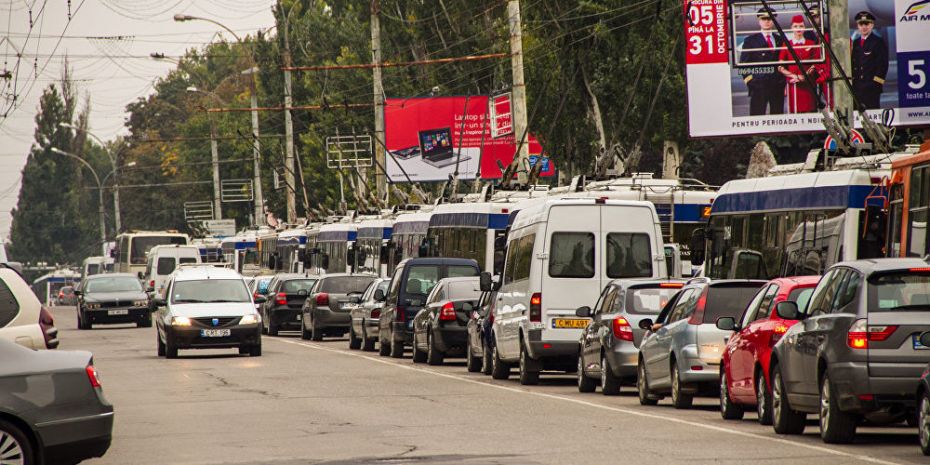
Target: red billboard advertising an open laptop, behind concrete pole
pixel 429 138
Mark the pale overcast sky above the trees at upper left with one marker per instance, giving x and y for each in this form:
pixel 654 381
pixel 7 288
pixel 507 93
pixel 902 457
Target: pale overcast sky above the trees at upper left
pixel 108 43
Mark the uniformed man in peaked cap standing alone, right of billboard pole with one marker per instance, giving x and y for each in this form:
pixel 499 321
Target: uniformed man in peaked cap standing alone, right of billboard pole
pixel 870 62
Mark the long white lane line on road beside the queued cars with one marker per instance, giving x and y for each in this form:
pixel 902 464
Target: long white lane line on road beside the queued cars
pixel 787 442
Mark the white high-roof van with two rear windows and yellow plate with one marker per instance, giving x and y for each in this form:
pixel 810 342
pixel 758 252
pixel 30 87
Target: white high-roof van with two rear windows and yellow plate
pixel 560 254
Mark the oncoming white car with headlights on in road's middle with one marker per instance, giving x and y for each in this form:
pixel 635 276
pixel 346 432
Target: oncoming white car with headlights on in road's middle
pixel 207 308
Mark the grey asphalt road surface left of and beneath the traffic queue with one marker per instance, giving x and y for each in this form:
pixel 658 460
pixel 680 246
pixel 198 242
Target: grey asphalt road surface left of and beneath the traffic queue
pixel 304 402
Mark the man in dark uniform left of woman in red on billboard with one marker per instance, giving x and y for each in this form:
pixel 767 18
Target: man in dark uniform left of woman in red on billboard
pixel 766 85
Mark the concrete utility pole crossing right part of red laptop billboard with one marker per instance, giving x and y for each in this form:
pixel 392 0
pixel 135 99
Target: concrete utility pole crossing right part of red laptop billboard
pixel 521 138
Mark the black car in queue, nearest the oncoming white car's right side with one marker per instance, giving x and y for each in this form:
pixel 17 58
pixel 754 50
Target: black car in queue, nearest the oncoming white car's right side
pixel 285 298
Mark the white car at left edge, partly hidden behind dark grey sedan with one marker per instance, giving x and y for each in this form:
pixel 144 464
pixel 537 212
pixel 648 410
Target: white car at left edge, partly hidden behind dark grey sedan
pixel 22 317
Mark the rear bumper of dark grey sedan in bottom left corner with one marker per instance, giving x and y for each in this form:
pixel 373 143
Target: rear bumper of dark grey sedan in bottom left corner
pixel 74 440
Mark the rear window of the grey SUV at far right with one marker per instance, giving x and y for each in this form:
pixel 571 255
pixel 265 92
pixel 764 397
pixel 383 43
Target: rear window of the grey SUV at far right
pixel 903 291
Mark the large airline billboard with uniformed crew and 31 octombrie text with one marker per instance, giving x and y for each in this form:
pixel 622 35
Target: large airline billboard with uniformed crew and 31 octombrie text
pixel 742 77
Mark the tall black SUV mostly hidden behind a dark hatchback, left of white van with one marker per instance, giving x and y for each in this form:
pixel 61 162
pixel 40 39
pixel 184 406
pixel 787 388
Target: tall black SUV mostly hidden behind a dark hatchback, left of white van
pixel 412 281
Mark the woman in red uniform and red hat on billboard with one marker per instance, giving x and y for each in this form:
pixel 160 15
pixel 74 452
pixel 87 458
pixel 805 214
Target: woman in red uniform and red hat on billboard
pixel 801 94
